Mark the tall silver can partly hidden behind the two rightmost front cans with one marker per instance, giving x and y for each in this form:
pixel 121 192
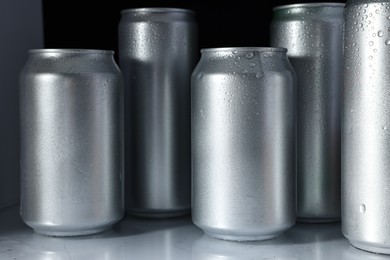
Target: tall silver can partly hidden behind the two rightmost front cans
pixel 313 35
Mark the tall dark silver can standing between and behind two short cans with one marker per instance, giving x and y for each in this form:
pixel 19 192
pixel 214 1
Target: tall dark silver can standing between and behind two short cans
pixel 157 54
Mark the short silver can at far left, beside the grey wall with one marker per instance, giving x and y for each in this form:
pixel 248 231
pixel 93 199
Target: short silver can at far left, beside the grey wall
pixel 72 172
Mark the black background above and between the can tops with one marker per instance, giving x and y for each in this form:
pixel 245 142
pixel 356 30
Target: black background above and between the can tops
pixel 93 24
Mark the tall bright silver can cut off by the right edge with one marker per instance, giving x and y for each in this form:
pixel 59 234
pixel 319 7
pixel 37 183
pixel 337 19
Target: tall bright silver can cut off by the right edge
pixel 365 126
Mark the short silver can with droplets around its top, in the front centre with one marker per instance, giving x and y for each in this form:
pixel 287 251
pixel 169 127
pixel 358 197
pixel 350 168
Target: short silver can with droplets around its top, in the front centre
pixel 243 143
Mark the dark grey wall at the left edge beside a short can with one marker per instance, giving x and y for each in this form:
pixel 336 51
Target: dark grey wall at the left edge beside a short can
pixel 21 28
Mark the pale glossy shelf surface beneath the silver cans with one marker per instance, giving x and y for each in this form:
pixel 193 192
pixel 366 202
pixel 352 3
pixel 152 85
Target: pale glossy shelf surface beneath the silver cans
pixel 171 239
